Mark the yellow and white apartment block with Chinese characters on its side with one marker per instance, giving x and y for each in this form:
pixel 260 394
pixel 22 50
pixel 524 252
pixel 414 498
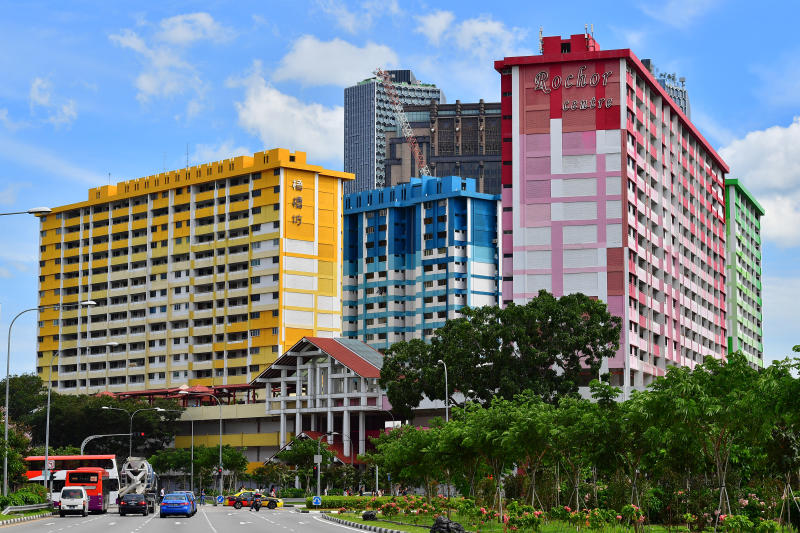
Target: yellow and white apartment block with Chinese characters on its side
pixel 200 276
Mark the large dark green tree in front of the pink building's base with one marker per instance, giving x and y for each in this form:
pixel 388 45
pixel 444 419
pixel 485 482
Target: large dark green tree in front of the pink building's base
pixel 545 346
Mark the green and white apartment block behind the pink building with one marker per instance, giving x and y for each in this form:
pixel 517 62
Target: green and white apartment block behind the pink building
pixel 743 217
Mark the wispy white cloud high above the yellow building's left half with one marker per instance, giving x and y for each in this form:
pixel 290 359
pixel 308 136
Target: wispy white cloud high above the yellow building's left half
pixel 165 72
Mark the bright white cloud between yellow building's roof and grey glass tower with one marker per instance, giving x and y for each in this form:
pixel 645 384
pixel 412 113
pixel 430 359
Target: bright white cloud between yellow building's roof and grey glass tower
pixel 283 121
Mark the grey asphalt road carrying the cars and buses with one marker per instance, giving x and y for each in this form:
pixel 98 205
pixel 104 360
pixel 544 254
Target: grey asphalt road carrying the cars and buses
pixel 209 519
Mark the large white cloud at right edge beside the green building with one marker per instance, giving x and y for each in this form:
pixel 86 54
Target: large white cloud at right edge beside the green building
pixel 768 163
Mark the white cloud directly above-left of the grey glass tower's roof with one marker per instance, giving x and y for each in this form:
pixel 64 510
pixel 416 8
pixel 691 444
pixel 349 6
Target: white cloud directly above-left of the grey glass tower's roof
pixel 336 62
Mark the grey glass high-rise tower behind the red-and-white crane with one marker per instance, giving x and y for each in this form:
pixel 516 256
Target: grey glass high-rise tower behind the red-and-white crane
pixel 367 115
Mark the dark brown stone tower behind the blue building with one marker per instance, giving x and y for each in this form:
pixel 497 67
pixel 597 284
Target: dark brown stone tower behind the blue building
pixel 460 139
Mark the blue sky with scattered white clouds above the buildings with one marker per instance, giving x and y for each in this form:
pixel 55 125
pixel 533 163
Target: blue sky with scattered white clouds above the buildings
pixel 123 88
